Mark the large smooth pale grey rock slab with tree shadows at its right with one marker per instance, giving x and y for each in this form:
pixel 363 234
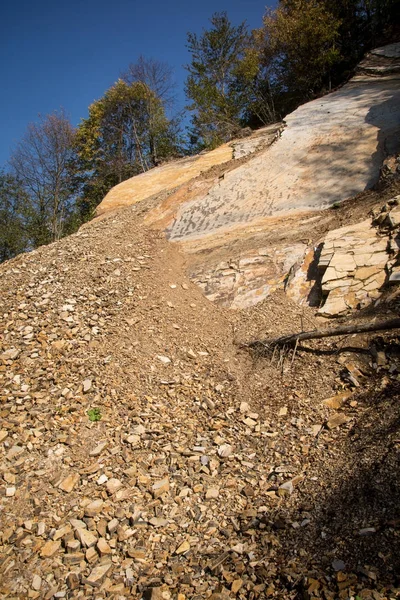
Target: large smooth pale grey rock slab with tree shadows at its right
pixel 331 149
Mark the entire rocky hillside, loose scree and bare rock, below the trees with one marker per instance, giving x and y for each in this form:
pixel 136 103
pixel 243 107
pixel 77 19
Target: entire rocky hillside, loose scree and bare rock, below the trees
pixel 145 452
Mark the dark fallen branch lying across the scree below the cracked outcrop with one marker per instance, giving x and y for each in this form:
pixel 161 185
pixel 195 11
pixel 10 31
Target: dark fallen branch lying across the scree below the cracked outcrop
pixel 317 334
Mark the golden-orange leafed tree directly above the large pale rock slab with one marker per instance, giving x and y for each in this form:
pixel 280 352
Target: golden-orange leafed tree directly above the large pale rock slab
pixel 300 49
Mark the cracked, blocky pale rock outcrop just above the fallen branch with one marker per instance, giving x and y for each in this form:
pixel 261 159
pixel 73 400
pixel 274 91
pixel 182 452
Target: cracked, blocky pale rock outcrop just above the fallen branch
pixel 352 264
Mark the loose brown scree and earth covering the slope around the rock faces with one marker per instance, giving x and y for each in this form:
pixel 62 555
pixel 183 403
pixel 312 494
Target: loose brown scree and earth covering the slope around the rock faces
pixel 266 492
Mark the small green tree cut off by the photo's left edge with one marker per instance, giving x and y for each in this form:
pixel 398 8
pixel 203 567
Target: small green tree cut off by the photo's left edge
pixel 13 213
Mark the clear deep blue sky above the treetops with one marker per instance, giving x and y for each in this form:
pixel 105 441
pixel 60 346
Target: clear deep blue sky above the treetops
pixel 66 54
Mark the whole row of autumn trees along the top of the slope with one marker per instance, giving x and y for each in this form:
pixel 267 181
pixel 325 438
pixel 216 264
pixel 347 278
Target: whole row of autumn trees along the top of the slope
pixel 58 174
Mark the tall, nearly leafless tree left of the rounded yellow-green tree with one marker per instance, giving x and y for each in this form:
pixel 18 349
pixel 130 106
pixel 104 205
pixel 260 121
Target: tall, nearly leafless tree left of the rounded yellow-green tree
pixel 42 163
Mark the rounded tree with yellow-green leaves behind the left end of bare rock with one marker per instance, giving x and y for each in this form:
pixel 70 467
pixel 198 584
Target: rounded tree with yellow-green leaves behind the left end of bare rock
pixel 126 133
